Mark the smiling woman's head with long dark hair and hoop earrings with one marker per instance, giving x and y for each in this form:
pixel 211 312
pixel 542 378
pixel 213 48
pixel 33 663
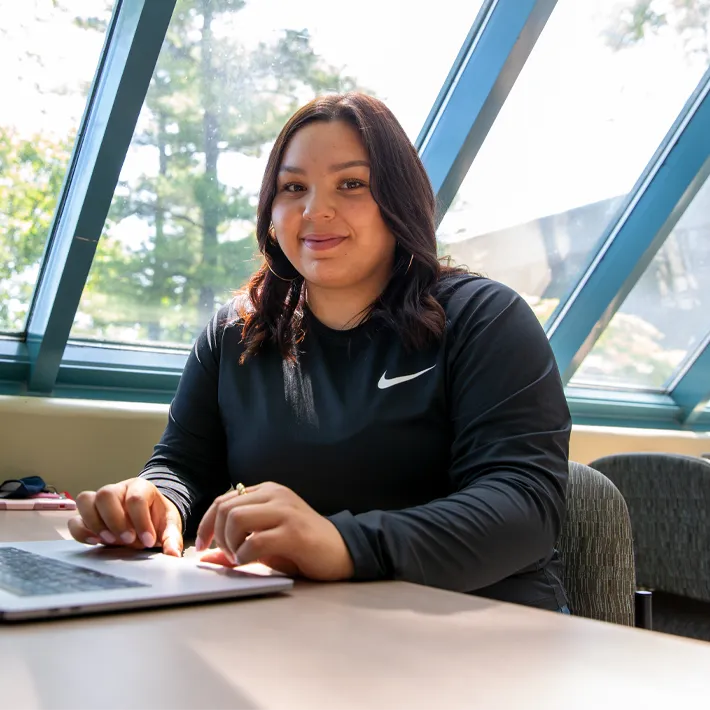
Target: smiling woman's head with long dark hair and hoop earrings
pixel 346 207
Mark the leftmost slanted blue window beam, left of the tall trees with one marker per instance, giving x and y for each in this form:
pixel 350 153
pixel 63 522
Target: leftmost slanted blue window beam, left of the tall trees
pixel 133 41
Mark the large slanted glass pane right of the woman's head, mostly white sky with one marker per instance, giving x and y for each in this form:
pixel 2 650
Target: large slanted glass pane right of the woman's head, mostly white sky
pixel 600 90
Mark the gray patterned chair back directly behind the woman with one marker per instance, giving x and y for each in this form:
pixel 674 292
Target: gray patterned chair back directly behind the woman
pixel 597 549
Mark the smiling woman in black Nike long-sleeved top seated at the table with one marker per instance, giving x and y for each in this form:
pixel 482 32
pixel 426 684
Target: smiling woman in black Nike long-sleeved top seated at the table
pixel 382 416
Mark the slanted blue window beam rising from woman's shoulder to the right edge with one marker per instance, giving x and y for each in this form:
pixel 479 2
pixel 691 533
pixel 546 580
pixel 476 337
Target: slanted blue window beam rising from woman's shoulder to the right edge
pixel 663 192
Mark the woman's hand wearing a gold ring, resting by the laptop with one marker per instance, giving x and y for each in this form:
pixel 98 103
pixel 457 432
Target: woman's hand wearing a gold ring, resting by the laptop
pixel 271 524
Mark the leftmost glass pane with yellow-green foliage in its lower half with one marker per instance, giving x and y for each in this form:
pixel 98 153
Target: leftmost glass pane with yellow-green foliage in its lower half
pixel 48 60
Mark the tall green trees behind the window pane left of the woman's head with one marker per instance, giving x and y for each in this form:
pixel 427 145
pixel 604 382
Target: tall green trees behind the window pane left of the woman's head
pixel 209 98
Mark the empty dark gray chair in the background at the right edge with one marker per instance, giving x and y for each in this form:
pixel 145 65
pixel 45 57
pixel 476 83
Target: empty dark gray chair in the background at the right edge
pixel 668 496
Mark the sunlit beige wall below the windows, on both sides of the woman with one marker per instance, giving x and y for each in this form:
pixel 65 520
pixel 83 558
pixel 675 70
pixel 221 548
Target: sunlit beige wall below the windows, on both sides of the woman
pixel 76 444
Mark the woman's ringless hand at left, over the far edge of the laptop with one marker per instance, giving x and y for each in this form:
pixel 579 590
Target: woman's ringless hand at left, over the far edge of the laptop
pixel 132 513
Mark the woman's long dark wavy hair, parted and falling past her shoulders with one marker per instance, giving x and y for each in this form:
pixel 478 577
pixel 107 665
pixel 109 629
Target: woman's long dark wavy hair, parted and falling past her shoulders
pixel 273 310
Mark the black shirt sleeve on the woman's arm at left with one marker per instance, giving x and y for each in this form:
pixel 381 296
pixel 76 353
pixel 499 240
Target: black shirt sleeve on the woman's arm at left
pixel 189 464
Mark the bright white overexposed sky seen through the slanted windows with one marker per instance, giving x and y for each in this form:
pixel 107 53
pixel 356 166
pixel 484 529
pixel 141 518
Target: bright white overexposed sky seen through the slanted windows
pixel 579 125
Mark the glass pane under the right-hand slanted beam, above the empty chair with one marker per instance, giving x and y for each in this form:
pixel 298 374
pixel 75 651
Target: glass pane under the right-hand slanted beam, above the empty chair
pixel 665 317
